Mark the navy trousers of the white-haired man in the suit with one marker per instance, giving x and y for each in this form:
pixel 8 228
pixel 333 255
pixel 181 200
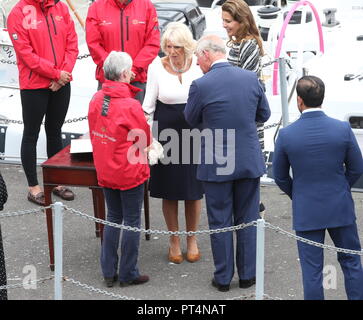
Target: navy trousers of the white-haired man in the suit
pixel 228 204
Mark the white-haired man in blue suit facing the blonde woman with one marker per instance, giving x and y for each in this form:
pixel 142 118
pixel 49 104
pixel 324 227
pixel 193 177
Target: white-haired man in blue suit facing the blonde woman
pixel 226 103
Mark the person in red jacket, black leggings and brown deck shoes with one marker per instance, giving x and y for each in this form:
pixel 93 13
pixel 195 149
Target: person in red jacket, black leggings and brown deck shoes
pixel 46 47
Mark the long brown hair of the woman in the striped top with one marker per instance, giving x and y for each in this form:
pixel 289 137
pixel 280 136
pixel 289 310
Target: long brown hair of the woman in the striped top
pixel 241 12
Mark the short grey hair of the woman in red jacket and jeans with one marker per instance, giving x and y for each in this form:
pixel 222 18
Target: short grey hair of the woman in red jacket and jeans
pixel 115 64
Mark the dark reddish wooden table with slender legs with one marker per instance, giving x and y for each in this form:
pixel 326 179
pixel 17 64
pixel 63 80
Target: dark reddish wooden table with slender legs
pixel 64 169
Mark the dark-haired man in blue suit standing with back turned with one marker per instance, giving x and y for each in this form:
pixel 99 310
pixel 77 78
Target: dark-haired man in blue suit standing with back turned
pixel 326 161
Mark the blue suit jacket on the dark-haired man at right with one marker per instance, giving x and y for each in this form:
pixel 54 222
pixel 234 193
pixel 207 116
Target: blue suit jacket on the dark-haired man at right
pixel 326 161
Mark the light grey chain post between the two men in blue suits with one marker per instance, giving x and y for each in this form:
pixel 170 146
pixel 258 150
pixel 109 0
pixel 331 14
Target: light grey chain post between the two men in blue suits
pixel 260 259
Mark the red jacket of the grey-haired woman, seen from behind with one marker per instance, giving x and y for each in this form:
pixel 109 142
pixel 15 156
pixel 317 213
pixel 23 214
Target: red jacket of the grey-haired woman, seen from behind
pixel 119 137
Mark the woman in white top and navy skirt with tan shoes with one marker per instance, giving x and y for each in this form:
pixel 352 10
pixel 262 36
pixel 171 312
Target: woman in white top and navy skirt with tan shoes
pixel 174 177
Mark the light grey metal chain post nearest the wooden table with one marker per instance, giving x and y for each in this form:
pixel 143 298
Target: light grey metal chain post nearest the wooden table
pixel 58 250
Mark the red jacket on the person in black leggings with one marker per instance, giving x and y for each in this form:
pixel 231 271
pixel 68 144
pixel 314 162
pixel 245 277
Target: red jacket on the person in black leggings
pixel 44 40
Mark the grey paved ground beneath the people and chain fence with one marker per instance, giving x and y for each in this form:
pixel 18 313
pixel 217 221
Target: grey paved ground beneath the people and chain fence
pixel 26 249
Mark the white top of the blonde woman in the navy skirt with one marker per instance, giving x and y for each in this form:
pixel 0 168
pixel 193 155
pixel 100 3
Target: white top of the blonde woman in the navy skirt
pixel 166 87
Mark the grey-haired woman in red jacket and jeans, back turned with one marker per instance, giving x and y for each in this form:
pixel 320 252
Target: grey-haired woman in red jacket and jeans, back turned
pixel 120 135
